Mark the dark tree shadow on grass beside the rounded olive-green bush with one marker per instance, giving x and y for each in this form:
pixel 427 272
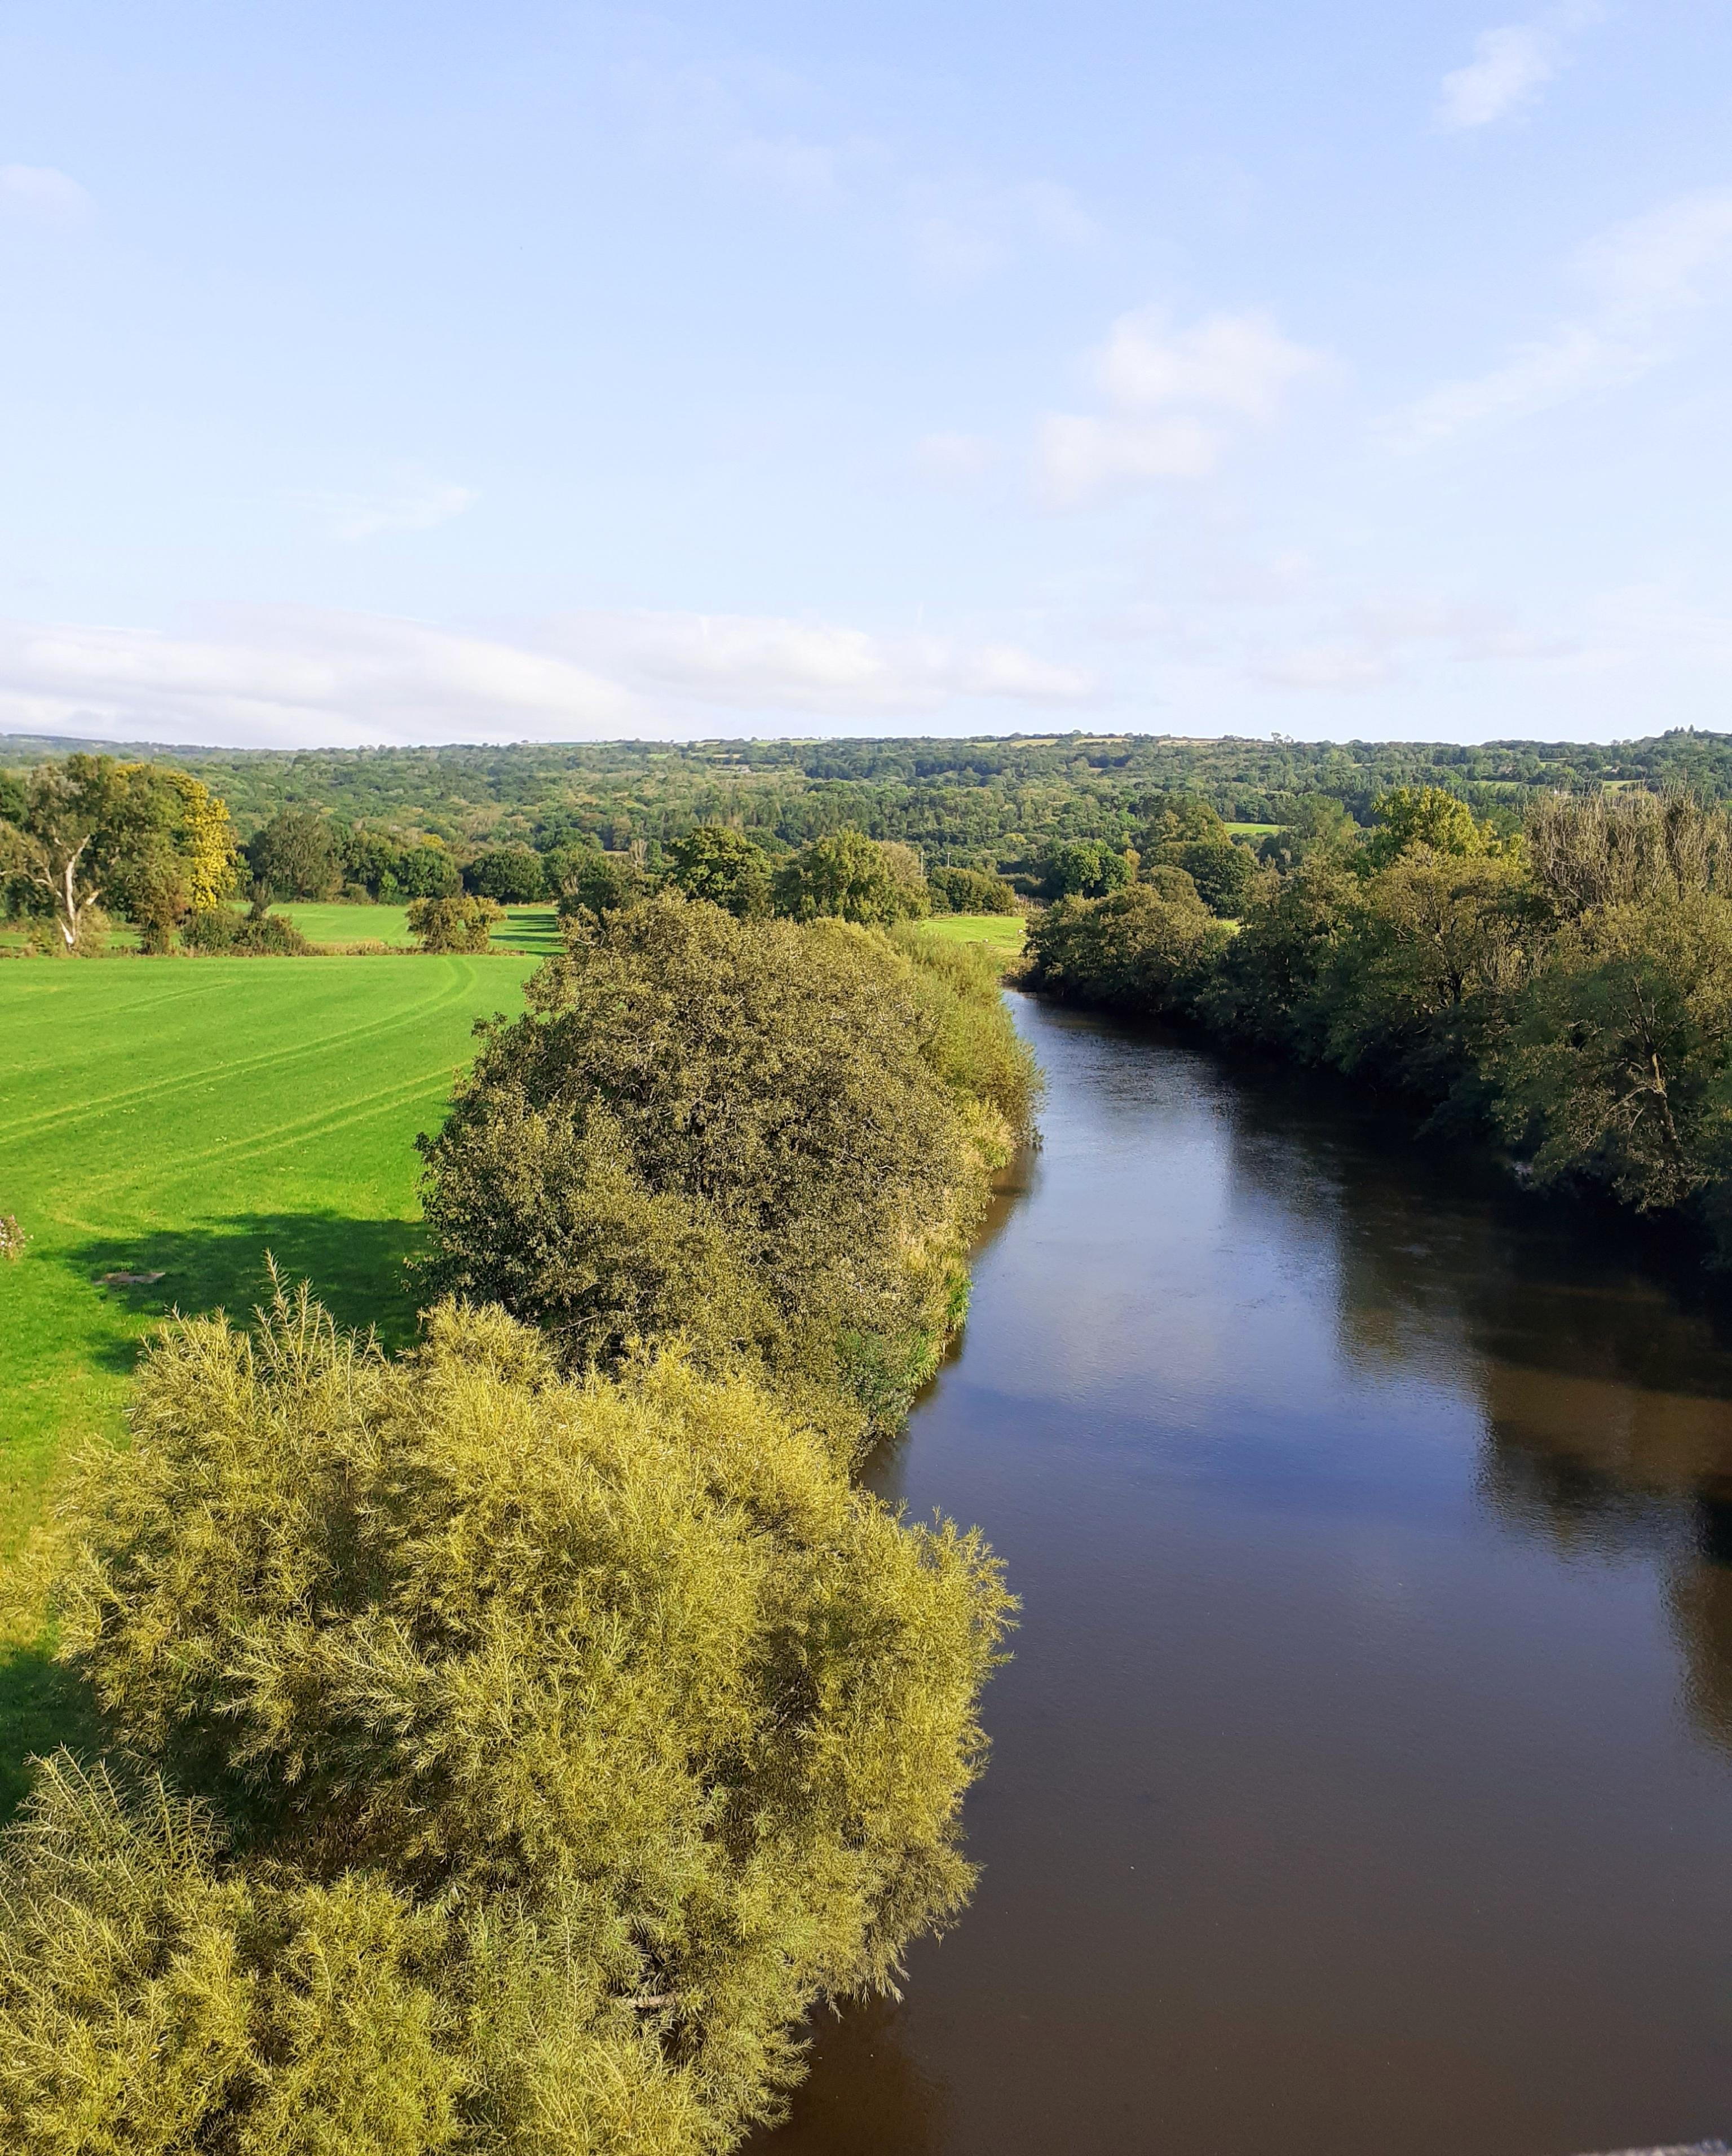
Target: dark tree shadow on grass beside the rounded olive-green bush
pixel 359 1271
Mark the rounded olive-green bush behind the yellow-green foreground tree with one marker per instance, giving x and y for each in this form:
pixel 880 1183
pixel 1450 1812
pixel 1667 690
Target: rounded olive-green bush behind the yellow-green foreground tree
pixel 734 1131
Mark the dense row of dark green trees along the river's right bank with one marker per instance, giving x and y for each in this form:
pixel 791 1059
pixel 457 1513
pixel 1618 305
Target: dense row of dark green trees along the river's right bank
pixel 1567 989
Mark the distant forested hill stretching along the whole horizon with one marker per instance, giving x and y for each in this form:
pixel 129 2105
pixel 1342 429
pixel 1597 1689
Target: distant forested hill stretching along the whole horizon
pixel 952 797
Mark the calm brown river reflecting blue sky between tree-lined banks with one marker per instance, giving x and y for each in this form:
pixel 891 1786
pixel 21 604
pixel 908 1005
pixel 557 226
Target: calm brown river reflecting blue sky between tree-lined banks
pixel 1364 1778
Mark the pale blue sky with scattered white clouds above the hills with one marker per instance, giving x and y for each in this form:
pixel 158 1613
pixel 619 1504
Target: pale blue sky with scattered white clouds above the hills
pixel 465 374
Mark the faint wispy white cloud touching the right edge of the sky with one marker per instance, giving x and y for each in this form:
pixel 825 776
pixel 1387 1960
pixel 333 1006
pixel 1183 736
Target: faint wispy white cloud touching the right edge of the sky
pixel 1645 277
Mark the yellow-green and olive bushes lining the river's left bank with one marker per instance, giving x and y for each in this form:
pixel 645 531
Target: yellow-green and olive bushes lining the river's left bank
pixel 514 1741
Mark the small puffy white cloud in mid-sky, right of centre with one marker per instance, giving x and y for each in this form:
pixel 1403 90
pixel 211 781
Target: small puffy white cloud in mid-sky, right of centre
pixel 1174 400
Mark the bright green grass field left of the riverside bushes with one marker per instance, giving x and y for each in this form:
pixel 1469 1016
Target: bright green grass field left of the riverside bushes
pixel 184 1118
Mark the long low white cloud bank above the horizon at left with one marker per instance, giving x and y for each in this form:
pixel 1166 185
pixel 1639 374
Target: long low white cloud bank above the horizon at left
pixel 303 676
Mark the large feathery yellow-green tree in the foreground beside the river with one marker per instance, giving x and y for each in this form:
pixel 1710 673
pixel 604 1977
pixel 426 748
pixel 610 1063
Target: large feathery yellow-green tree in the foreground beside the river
pixel 501 1765
